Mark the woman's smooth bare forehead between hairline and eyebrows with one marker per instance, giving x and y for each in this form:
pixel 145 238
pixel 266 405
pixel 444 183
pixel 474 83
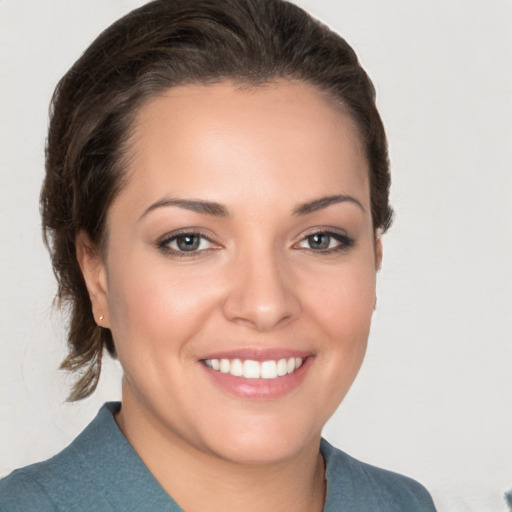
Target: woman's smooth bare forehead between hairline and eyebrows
pixel 282 137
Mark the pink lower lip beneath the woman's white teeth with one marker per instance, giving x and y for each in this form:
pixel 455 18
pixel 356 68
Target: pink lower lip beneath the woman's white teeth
pixel 260 389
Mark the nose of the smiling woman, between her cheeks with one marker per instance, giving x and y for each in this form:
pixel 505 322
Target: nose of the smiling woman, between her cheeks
pixel 262 294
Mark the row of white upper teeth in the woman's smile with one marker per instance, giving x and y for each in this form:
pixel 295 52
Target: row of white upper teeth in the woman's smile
pixel 250 369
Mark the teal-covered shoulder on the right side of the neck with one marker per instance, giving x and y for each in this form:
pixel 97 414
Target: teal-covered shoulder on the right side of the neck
pixel 367 488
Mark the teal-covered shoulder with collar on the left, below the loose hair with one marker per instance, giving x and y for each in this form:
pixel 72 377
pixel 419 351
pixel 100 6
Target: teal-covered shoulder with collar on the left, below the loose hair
pixel 98 471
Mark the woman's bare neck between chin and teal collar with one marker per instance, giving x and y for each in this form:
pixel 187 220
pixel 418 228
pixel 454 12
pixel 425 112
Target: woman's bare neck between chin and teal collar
pixel 200 481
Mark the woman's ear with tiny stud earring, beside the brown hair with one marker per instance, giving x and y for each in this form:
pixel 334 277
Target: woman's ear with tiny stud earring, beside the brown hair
pixel 95 276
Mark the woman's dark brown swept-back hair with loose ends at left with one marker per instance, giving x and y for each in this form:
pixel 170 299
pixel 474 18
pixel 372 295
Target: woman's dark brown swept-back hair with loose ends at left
pixel 160 45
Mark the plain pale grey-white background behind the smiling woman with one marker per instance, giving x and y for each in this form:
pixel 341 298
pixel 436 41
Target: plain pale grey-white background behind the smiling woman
pixel 434 397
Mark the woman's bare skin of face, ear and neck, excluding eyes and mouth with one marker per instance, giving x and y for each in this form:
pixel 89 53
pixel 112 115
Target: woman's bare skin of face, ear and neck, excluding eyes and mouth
pixel 260 153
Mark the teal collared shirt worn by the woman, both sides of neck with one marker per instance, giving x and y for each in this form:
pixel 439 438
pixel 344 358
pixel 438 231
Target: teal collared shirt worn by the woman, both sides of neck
pixel 100 471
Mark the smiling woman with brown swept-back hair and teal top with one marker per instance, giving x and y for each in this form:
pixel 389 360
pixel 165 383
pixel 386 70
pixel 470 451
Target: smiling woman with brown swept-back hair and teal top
pixel 216 191
